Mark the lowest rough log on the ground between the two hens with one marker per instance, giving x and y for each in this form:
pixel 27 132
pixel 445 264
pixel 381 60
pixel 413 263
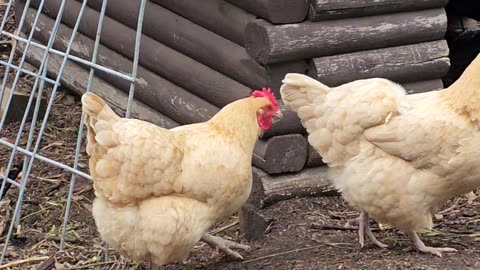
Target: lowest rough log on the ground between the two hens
pixel 309 182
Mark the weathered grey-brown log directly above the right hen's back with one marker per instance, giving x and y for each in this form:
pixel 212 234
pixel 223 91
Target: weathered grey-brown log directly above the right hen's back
pixel 408 63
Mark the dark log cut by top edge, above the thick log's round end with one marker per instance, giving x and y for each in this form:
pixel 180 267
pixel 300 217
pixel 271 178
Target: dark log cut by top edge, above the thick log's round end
pixel 275 11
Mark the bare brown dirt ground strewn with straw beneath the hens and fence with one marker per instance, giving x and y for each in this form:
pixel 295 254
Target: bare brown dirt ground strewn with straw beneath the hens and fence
pixel 300 235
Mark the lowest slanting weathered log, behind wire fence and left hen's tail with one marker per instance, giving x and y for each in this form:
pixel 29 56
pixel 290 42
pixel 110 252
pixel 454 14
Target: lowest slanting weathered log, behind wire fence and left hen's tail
pixel 75 78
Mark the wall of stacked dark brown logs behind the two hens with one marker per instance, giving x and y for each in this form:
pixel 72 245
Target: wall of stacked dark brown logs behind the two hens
pixel 197 56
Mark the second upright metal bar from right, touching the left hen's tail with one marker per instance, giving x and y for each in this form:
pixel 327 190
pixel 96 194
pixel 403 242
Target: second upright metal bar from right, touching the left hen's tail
pixel 81 128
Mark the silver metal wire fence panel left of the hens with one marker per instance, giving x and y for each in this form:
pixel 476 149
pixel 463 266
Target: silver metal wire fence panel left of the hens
pixel 14 68
